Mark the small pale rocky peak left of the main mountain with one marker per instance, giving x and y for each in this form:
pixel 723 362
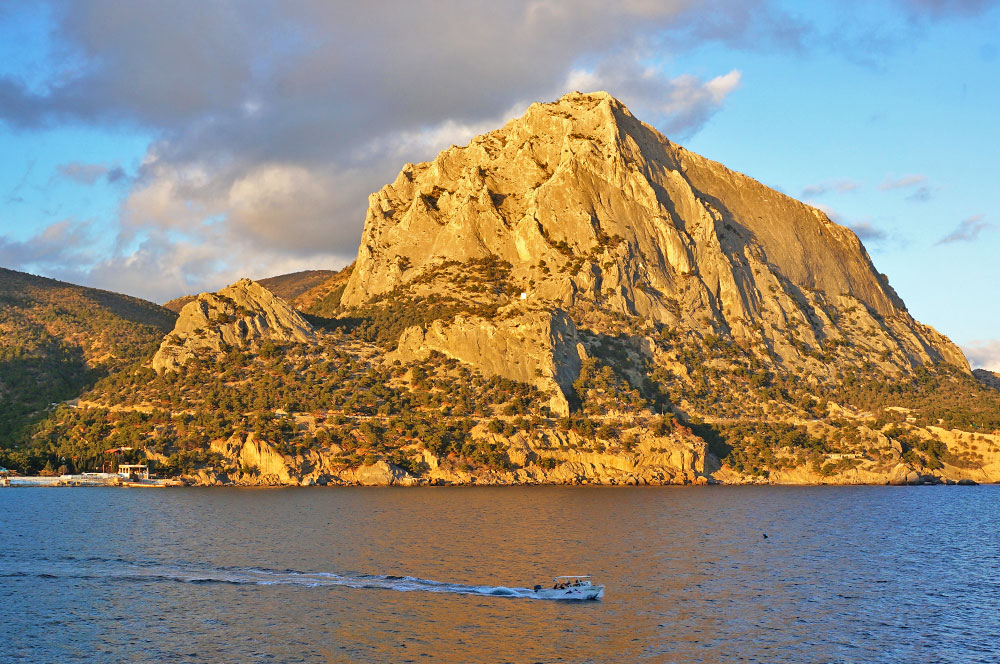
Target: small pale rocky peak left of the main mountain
pixel 239 315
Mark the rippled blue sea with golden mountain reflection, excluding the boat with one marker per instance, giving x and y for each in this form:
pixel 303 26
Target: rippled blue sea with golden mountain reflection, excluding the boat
pixel 845 574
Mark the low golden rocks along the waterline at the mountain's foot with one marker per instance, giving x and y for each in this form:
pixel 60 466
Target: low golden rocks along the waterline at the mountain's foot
pixel 656 461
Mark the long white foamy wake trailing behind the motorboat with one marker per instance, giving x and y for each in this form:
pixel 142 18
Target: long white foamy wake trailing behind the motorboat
pixel 154 572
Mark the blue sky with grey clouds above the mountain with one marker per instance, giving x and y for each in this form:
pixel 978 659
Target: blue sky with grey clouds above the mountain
pixel 165 148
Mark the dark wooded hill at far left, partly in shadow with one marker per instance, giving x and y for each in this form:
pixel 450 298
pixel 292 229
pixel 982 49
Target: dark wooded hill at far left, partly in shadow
pixel 57 338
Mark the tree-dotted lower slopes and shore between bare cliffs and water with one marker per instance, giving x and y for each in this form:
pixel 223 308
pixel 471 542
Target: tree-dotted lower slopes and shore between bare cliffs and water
pixel 439 422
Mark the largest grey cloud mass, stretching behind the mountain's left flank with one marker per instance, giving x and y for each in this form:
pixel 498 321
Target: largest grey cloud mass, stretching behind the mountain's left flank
pixel 275 120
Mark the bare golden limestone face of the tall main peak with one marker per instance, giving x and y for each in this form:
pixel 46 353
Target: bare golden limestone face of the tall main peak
pixel 591 207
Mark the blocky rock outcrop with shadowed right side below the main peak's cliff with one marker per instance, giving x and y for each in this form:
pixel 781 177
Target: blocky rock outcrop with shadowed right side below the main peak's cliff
pixel 534 347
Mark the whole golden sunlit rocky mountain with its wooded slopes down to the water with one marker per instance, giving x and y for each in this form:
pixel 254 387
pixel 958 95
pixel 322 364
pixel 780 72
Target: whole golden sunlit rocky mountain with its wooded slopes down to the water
pixel 571 298
